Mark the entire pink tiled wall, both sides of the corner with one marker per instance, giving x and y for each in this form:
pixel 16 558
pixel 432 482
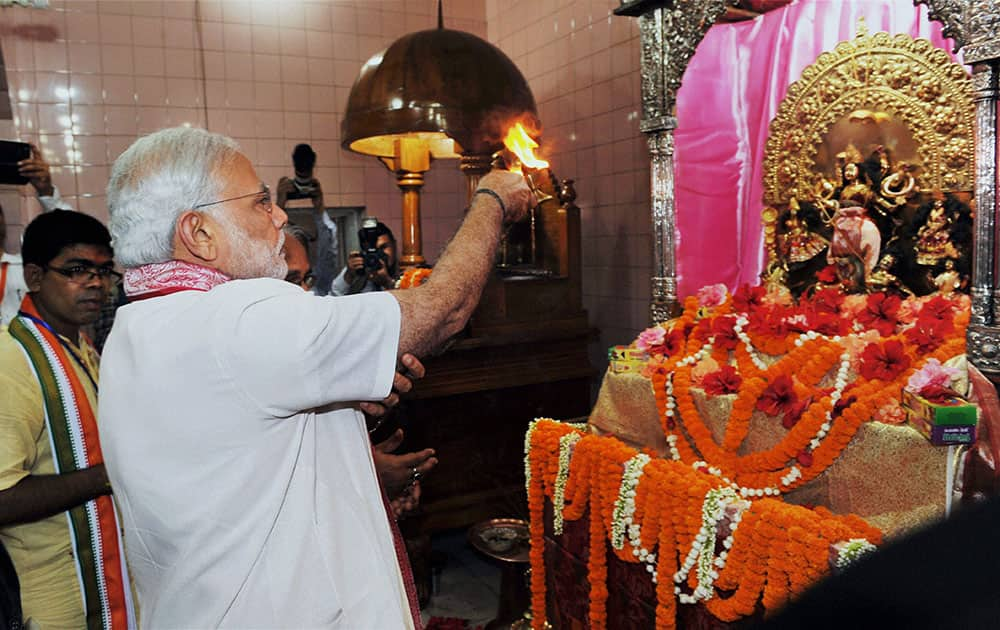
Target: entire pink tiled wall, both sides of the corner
pixel 88 76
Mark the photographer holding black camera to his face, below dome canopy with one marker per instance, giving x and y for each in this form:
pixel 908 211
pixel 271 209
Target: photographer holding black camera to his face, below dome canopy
pixel 373 269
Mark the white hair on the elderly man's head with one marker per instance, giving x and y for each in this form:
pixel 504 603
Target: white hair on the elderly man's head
pixel 155 180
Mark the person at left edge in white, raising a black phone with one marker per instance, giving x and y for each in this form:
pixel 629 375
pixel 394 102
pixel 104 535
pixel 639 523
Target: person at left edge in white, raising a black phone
pixel 12 286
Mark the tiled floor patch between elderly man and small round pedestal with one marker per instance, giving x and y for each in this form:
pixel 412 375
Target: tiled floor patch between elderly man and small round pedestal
pixel 467 586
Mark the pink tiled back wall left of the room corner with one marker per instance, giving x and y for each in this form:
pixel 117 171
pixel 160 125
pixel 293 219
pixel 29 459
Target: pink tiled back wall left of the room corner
pixel 88 76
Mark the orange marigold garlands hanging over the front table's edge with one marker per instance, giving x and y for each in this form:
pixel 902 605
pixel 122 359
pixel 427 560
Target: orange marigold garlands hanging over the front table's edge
pixel 770 550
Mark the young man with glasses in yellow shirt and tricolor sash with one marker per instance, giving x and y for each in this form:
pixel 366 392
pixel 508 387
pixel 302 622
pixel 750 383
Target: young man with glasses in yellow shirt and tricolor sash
pixel 57 519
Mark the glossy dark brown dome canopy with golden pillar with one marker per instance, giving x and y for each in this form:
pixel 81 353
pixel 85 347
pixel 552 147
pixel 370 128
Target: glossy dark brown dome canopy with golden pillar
pixel 437 93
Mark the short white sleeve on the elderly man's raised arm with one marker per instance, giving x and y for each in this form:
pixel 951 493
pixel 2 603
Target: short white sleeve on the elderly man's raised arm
pixel 290 351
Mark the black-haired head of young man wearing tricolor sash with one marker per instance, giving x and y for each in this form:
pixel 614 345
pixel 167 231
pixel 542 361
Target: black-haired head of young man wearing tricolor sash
pixel 68 268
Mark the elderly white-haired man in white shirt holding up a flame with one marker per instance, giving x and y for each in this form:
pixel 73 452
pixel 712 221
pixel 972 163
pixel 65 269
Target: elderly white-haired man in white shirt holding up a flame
pixel 229 407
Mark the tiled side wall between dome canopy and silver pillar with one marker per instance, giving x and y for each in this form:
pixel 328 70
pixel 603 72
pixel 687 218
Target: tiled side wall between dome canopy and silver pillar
pixel 582 63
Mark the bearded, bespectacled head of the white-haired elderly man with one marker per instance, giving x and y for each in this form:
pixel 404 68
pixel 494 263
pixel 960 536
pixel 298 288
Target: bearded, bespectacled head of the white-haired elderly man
pixel 189 194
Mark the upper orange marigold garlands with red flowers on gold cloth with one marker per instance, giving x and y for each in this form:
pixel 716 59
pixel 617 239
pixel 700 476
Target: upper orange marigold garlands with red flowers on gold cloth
pixel 821 420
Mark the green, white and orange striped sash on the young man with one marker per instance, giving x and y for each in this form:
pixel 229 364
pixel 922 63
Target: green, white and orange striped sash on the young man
pixel 70 419
